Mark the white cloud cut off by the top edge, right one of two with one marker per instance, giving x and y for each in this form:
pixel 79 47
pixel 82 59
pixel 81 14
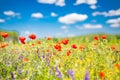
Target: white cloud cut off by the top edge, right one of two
pixel 89 2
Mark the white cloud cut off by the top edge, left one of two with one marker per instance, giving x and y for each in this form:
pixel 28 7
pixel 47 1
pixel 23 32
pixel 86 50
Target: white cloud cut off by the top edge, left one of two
pixel 56 2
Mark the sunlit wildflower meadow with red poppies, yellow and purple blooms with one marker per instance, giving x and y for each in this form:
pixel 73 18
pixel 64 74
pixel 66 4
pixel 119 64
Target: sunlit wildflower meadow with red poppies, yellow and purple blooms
pixel 95 57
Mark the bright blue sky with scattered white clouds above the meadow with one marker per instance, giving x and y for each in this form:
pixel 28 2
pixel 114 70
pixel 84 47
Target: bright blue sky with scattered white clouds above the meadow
pixel 60 18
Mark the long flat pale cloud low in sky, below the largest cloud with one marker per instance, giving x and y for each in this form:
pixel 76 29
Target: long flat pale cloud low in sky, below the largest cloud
pixel 90 26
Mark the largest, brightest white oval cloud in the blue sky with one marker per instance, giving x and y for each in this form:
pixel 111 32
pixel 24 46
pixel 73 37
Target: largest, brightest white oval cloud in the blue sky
pixel 72 18
